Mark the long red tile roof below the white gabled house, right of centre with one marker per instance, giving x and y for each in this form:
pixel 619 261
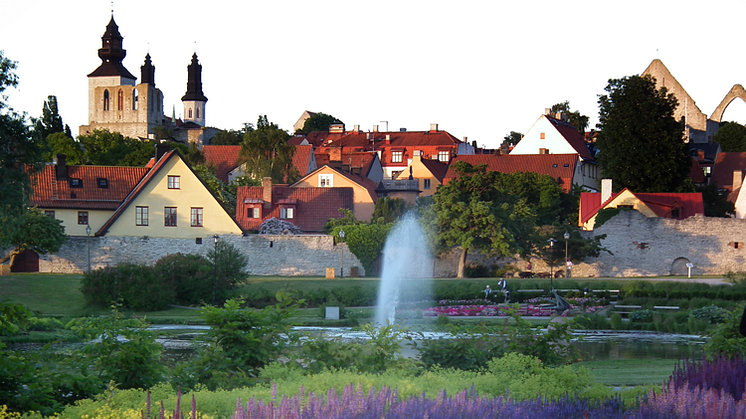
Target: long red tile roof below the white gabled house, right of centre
pixel 559 166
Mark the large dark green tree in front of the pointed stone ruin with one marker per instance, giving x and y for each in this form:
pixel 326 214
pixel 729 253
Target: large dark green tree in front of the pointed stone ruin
pixel 640 143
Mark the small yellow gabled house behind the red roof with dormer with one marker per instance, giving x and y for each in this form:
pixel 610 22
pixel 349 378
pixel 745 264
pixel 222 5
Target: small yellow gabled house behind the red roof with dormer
pixel 364 190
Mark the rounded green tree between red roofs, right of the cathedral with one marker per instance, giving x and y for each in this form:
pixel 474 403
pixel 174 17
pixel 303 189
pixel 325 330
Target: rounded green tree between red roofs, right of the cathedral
pixel 267 153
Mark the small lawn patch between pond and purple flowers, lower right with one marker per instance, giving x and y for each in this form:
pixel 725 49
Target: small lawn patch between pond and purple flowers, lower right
pixel 630 372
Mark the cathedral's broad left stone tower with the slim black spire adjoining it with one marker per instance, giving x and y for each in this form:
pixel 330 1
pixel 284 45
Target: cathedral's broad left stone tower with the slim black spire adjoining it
pixel 115 102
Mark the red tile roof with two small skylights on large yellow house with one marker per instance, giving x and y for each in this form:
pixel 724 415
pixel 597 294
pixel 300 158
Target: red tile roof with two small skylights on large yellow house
pixel 50 192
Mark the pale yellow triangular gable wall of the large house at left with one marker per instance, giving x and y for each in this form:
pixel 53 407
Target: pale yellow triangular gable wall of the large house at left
pixel 171 201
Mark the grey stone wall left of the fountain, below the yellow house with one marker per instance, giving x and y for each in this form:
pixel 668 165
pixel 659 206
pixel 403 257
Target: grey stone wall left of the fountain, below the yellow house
pixel 307 255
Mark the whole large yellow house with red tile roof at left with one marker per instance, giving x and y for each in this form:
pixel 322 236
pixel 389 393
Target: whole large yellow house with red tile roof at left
pixel 167 200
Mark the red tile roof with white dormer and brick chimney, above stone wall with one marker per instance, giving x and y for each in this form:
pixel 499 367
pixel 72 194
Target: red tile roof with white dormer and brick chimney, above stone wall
pixel 313 206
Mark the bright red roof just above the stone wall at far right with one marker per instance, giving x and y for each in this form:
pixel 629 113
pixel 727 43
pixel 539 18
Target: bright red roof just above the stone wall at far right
pixel 660 203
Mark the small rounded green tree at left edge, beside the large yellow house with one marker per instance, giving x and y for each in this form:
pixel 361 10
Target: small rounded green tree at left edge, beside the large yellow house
pixel 36 232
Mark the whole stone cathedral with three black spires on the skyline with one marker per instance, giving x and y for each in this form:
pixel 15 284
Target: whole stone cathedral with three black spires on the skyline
pixel 117 103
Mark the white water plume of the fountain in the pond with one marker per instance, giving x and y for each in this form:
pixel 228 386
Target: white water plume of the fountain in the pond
pixel 406 260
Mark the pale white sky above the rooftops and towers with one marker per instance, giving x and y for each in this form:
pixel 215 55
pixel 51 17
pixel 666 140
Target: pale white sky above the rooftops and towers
pixel 479 69
